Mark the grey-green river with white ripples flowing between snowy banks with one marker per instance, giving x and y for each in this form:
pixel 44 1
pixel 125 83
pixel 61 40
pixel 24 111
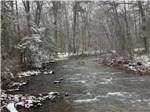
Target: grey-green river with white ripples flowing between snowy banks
pixel 92 88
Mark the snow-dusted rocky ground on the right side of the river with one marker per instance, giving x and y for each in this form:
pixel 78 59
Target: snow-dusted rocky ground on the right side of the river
pixel 140 63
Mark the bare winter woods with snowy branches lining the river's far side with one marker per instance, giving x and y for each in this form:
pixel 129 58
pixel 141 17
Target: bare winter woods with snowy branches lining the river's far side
pixel 33 31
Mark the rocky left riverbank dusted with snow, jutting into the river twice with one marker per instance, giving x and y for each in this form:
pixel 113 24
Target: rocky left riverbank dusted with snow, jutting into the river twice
pixel 14 102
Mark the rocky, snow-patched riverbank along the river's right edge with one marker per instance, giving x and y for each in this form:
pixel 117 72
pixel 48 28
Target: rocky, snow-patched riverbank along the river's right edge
pixel 138 65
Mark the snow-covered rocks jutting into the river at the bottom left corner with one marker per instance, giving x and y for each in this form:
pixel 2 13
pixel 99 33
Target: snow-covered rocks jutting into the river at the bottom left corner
pixel 12 102
